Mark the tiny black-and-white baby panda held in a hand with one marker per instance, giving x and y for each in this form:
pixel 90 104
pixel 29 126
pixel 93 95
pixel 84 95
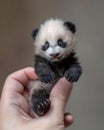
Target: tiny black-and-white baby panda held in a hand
pixel 54 58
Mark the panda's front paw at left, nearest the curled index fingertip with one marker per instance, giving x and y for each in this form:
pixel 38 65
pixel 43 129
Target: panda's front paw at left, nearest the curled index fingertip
pixel 48 78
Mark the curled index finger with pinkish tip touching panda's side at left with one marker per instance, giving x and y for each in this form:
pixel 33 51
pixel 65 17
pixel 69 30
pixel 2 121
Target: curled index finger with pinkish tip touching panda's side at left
pixel 17 80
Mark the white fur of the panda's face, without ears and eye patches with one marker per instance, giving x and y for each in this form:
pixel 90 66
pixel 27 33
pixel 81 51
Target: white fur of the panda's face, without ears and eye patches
pixel 51 31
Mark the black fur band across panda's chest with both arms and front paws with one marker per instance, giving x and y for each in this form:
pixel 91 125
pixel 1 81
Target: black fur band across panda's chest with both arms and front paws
pixel 48 71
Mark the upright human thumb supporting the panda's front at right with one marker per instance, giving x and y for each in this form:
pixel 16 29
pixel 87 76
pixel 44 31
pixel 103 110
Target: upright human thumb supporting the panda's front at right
pixel 59 96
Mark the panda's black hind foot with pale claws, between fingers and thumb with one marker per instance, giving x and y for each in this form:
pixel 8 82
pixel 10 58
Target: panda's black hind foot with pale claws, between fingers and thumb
pixel 40 102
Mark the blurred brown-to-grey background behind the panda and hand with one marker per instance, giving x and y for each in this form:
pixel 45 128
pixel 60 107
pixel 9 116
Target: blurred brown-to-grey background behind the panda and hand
pixel 17 20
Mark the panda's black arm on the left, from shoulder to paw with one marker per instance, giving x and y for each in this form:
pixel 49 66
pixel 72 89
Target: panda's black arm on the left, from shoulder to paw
pixel 43 69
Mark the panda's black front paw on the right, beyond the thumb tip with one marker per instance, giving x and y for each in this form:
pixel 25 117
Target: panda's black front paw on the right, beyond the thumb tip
pixel 73 74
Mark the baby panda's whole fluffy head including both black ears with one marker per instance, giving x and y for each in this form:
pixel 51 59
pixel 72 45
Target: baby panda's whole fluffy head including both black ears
pixel 54 39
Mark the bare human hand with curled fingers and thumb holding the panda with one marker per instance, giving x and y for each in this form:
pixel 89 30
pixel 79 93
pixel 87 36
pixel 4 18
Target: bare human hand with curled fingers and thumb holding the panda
pixel 14 109
